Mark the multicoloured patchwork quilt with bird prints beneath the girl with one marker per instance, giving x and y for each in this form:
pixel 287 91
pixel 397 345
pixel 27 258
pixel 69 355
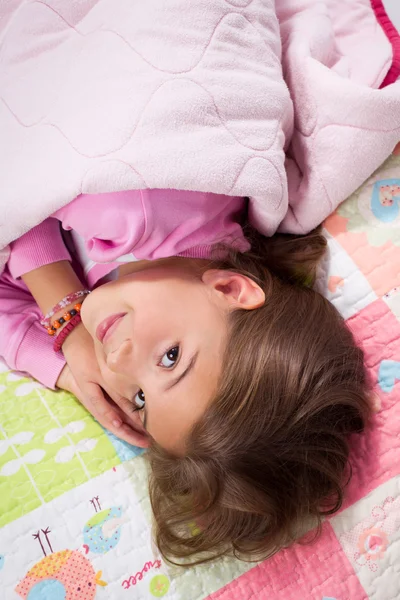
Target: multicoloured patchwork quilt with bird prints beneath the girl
pixel 74 511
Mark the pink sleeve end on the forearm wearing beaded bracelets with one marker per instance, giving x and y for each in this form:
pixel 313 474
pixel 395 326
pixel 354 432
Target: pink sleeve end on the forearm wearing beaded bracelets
pixel 40 246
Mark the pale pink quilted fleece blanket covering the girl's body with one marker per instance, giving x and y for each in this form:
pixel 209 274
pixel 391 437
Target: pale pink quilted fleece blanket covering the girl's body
pixel 106 95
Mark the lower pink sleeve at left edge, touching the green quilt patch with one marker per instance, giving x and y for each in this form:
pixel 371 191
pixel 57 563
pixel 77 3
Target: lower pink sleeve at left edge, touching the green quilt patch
pixel 24 343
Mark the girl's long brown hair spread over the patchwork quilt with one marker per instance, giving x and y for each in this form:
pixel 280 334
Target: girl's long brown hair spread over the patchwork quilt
pixel 270 455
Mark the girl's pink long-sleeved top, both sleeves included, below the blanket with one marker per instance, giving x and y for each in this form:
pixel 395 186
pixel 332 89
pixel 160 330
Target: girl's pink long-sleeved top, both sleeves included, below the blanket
pixel 97 233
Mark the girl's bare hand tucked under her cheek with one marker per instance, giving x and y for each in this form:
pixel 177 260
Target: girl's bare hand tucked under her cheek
pixel 81 376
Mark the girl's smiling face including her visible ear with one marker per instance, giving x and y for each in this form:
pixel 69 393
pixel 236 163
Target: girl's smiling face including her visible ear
pixel 159 334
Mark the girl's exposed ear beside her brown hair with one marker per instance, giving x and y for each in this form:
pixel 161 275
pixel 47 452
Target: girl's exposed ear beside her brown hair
pixel 237 290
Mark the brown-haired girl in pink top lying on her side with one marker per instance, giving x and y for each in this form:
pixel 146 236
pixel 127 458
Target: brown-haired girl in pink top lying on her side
pixel 210 348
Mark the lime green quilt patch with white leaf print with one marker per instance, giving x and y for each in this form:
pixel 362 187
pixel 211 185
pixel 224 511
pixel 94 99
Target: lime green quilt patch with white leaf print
pixel 49 444
